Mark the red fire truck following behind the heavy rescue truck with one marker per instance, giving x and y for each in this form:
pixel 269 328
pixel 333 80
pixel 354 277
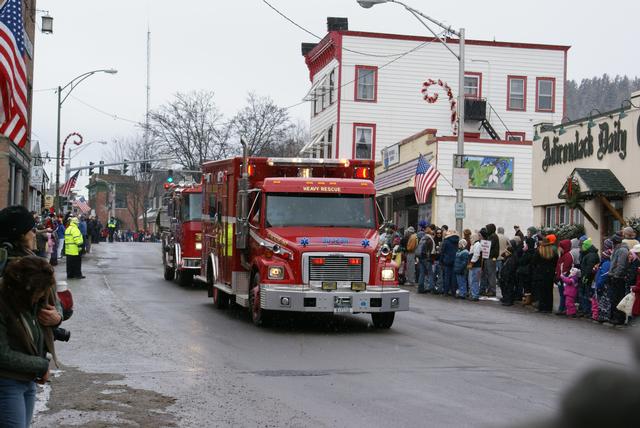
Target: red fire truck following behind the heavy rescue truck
pixel 182 242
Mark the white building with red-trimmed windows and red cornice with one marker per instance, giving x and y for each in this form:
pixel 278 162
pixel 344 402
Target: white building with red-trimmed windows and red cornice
pixel 365 91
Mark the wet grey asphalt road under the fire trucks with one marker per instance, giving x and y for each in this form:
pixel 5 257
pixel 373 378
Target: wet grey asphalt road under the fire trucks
pixel 444 363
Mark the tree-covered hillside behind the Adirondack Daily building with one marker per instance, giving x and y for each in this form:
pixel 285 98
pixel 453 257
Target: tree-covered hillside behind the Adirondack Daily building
pixel 602 93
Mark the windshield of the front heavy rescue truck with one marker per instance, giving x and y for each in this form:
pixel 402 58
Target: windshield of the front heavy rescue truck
pixel 322 210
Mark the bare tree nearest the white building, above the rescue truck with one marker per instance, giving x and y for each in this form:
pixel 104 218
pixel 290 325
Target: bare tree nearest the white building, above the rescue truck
pixel 262 124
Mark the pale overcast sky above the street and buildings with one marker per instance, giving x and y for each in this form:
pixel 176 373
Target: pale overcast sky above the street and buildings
pixel 236 46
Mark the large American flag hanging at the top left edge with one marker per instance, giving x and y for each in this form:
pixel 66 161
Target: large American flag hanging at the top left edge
pixel 13 73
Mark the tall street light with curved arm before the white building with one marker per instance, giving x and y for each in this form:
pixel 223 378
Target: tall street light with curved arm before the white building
pixel 460 56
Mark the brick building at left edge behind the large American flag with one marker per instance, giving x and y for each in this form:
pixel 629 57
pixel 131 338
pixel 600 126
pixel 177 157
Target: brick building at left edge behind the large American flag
pixel 15 161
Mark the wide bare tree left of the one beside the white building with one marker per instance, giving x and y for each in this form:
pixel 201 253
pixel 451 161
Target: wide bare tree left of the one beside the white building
pixel 191 129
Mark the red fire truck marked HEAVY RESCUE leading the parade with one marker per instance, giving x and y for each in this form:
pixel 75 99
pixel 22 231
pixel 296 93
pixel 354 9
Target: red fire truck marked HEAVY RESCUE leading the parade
pixel 297 235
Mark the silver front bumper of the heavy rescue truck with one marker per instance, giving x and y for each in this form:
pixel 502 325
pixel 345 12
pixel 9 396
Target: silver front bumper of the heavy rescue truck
pixel 300 299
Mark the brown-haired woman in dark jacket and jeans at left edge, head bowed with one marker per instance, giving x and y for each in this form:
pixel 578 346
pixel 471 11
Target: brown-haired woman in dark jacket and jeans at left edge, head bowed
pixel 25 336
